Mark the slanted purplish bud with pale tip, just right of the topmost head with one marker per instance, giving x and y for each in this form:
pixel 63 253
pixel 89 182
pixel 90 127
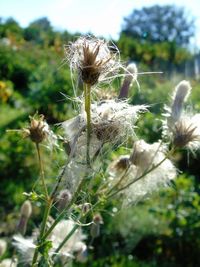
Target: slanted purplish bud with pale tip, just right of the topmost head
pixel 131 74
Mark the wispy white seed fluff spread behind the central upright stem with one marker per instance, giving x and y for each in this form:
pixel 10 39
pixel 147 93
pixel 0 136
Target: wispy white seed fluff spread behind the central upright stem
pixel 111 122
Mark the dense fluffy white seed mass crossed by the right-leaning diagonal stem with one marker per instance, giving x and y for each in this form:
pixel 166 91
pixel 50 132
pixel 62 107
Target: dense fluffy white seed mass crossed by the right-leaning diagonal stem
pixel 142 177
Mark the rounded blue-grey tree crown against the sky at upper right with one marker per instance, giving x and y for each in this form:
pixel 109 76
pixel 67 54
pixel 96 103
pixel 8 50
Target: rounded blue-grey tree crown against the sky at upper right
pixel 160 24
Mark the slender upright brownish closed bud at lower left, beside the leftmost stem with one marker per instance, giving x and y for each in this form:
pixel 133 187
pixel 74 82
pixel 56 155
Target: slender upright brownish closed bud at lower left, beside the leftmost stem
pixel 25 213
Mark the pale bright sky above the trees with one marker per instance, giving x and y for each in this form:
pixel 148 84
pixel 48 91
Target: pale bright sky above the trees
pixel 101 17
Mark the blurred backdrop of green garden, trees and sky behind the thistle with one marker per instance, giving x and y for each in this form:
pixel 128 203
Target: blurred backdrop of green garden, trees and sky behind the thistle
pixel 163 230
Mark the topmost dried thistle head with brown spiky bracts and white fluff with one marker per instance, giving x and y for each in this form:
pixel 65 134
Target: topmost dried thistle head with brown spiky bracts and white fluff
pixel 92 58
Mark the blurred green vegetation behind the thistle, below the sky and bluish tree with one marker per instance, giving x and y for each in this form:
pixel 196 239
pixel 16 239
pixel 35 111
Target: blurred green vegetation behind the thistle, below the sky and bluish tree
pixel 161 231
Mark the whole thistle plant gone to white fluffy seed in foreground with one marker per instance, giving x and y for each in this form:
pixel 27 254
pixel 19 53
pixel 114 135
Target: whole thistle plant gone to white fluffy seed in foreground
pixel 102 126
